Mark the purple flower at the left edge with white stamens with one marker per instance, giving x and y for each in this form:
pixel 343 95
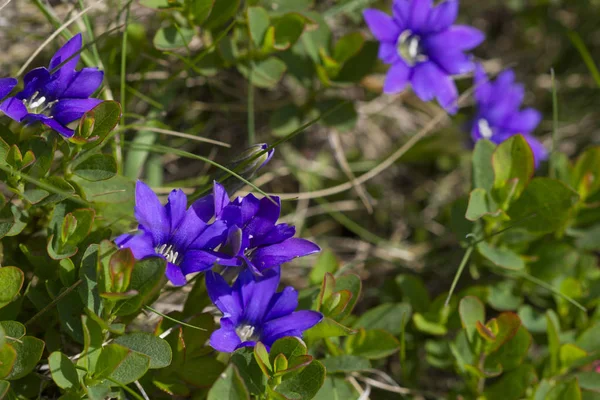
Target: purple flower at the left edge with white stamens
pixel 56 96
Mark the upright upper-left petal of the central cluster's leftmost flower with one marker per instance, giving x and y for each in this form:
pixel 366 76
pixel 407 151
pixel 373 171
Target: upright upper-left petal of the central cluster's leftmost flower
pixel 151 214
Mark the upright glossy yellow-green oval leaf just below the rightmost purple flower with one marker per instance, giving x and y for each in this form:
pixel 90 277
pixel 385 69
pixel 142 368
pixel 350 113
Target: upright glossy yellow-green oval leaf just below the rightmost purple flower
pixel 513 168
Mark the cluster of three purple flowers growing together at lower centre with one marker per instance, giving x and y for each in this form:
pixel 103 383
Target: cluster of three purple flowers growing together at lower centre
pixel 241 233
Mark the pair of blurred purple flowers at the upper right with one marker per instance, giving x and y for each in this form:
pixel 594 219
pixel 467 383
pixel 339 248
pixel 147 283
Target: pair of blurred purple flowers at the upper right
pixel 426 50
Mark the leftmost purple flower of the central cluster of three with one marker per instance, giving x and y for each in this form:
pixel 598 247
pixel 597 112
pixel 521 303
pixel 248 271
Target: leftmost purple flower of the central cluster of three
pixel 180 235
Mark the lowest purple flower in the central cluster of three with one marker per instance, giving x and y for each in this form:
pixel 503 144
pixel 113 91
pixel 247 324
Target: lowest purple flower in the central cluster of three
pixel 253 311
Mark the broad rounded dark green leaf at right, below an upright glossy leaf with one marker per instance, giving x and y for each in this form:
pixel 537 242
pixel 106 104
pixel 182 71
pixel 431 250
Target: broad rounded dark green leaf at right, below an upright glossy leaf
pixel 544 206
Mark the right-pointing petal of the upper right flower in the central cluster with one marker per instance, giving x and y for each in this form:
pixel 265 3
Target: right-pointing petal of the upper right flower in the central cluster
pixel 277 254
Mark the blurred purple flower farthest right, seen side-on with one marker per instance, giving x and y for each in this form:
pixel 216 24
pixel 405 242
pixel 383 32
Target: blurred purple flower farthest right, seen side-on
pixel 498 115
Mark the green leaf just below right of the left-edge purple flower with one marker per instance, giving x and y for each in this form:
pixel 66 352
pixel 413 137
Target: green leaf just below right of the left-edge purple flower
pixel 103 118
